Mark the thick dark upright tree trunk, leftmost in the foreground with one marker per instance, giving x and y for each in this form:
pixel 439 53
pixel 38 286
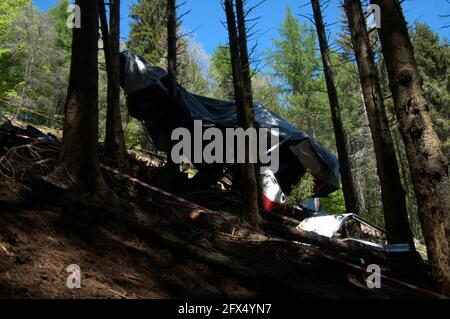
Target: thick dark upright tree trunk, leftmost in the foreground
pixel 79 154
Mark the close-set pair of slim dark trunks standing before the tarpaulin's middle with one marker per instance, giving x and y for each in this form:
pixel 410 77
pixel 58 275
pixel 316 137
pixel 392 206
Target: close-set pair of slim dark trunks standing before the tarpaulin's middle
pixel 243 96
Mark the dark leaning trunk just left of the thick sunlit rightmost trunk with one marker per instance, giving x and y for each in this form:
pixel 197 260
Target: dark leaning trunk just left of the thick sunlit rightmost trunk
pixel 392 192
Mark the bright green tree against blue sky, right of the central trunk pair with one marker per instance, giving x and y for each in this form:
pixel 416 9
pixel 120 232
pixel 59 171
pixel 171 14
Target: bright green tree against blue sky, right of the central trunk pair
pixel 297 69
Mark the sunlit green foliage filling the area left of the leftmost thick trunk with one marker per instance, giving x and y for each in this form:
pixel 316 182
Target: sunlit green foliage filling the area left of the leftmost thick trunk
pixel 33 75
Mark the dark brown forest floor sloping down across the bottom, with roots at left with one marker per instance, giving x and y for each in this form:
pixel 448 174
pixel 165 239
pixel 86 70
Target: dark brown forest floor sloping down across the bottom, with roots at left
pixel 143 245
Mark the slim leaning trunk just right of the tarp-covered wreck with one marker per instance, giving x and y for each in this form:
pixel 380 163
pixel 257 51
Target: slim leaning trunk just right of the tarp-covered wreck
pixel 348 187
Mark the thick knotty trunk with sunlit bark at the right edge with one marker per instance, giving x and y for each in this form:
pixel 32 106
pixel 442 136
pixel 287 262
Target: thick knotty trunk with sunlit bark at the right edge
pixel 428 164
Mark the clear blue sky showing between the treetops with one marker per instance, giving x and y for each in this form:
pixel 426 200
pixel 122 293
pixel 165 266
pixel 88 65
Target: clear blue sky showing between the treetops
pixel 206 16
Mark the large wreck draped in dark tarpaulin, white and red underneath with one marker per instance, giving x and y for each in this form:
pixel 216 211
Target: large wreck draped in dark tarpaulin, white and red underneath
pixel 148 101
